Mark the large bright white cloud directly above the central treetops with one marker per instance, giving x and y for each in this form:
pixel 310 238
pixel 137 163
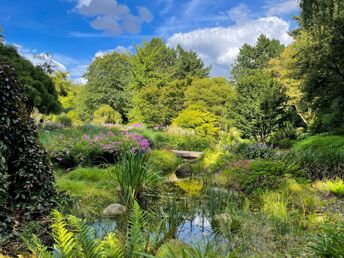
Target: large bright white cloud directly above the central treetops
pixel 219 46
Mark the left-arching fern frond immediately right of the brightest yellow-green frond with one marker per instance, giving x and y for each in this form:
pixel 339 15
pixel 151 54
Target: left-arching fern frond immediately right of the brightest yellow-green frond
pixel 85 236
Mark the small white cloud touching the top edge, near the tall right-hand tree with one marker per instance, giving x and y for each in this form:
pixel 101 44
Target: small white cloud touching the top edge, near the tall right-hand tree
pixel 281 7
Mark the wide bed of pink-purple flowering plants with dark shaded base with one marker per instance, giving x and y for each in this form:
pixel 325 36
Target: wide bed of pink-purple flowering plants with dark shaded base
pixel 88 146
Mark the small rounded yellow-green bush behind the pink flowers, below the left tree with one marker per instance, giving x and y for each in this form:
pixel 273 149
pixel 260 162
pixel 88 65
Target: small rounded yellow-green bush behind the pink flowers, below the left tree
pixel 106 115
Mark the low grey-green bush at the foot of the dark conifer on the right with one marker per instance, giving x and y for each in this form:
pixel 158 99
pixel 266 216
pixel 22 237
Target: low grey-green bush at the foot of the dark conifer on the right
pixel 253 150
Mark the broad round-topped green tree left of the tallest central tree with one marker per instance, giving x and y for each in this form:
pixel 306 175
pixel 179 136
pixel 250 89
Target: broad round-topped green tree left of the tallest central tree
pixel 108 81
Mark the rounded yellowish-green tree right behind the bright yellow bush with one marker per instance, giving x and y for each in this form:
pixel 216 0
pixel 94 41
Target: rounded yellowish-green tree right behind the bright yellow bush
pixel 215 95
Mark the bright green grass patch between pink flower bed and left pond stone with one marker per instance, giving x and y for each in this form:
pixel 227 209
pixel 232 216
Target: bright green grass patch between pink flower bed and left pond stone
pixel 92 189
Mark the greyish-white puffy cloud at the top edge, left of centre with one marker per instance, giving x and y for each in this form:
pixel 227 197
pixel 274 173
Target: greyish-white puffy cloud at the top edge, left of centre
pixel 113 18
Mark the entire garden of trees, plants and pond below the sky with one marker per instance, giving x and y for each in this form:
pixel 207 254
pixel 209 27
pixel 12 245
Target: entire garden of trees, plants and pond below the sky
pixel 268 181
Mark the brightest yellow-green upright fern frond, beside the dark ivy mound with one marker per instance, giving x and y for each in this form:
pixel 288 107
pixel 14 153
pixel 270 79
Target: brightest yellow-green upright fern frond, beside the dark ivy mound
pixel 65 241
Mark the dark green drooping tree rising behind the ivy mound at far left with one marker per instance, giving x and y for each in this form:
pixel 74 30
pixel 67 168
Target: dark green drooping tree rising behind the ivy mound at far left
pixel 38 86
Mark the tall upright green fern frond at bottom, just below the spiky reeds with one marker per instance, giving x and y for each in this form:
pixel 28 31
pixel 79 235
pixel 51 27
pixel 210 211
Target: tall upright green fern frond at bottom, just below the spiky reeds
pixel 136 237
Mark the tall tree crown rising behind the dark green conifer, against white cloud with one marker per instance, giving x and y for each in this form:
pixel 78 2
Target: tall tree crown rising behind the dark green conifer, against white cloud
pixel 256 57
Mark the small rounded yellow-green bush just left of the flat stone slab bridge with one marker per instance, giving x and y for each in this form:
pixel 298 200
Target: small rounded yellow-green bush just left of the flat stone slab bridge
pixel 163 160
